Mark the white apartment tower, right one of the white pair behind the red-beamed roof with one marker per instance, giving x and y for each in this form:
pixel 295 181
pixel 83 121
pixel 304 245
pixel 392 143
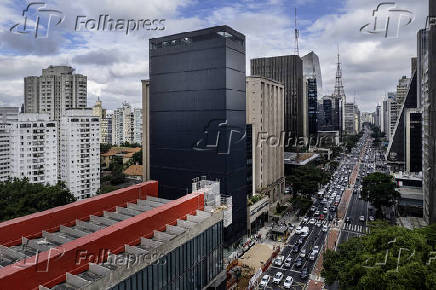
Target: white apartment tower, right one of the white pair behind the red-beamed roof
pixel 79 158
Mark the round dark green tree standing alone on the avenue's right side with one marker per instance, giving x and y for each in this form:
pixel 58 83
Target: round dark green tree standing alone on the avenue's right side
pixel 379 189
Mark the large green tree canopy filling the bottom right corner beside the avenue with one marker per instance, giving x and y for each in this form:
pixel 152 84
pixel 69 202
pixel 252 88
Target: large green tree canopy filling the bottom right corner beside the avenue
pixel 390 257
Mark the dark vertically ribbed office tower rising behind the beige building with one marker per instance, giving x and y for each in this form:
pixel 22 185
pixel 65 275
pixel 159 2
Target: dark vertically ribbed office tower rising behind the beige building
pixel 287 70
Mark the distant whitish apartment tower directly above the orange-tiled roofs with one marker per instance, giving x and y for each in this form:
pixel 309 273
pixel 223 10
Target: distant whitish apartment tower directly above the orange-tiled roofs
pixel 122 125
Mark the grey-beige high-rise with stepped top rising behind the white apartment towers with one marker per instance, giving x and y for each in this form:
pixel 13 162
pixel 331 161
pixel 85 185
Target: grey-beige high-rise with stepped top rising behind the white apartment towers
pixel 55 91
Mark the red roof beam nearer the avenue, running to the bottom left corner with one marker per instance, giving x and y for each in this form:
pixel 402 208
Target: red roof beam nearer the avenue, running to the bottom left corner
pixel 112 238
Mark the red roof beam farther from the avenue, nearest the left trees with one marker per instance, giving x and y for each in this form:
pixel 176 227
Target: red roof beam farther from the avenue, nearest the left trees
pixel 31 226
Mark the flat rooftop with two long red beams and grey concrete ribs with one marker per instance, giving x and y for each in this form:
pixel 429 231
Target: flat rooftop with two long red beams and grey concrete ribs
pixel 89 244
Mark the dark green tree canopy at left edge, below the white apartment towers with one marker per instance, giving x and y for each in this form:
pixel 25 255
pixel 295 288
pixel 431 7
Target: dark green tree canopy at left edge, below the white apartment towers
pixel 19 197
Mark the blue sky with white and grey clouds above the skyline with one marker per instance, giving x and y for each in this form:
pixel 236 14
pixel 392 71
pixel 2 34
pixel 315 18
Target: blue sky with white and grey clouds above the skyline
pixel 115 62
